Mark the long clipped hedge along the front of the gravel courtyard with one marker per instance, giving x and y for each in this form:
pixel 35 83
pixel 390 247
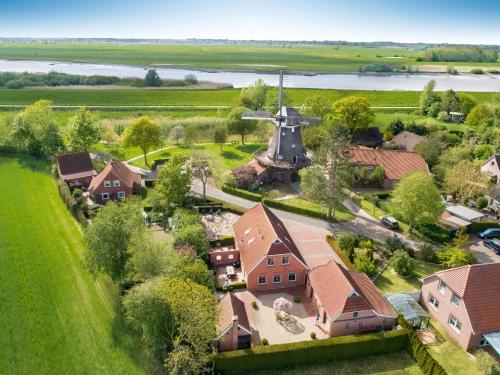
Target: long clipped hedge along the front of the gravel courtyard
pixel 311 352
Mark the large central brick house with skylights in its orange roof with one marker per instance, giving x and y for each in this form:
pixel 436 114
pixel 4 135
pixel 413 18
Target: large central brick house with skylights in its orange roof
pixel 269 257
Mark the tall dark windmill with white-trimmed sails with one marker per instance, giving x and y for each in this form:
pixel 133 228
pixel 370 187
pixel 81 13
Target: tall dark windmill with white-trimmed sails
pixel 285 154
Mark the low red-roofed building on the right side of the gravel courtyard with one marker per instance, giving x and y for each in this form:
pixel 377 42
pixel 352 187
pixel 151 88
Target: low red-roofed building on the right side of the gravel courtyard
pixel 347 302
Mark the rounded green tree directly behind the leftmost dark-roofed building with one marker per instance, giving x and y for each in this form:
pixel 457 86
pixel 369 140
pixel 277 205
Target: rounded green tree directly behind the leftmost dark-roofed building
pixel 83 131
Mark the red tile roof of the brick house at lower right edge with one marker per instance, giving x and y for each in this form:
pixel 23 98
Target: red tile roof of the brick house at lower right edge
pixel 479 287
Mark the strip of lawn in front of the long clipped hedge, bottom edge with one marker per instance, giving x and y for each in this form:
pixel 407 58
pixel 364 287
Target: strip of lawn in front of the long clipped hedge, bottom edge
pixel 398 363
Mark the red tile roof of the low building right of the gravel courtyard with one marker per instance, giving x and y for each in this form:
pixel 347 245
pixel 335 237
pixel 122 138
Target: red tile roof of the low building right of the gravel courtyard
pixel 340 291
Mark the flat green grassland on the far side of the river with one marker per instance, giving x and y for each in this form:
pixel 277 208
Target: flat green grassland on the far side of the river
pixel 263 58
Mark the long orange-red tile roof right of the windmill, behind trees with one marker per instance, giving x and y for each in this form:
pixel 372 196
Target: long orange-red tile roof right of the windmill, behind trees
pixel 397 164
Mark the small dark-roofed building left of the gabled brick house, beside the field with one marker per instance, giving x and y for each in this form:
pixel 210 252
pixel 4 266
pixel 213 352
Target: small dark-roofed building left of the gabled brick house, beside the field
pixel 76 169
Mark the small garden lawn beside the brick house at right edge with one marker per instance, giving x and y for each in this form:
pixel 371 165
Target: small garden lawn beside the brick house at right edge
pixel 389 283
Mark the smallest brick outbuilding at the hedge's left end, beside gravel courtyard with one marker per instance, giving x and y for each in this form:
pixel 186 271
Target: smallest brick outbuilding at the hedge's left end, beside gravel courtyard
pixel 234 331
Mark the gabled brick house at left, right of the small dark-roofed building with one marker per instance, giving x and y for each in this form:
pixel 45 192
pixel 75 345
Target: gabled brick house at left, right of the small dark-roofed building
pixel 115 182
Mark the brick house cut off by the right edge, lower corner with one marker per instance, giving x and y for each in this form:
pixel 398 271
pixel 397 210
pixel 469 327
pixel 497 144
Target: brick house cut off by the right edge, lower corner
pixel 466 302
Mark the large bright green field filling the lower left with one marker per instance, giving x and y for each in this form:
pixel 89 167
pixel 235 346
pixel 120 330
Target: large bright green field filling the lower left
pixel 54 318
